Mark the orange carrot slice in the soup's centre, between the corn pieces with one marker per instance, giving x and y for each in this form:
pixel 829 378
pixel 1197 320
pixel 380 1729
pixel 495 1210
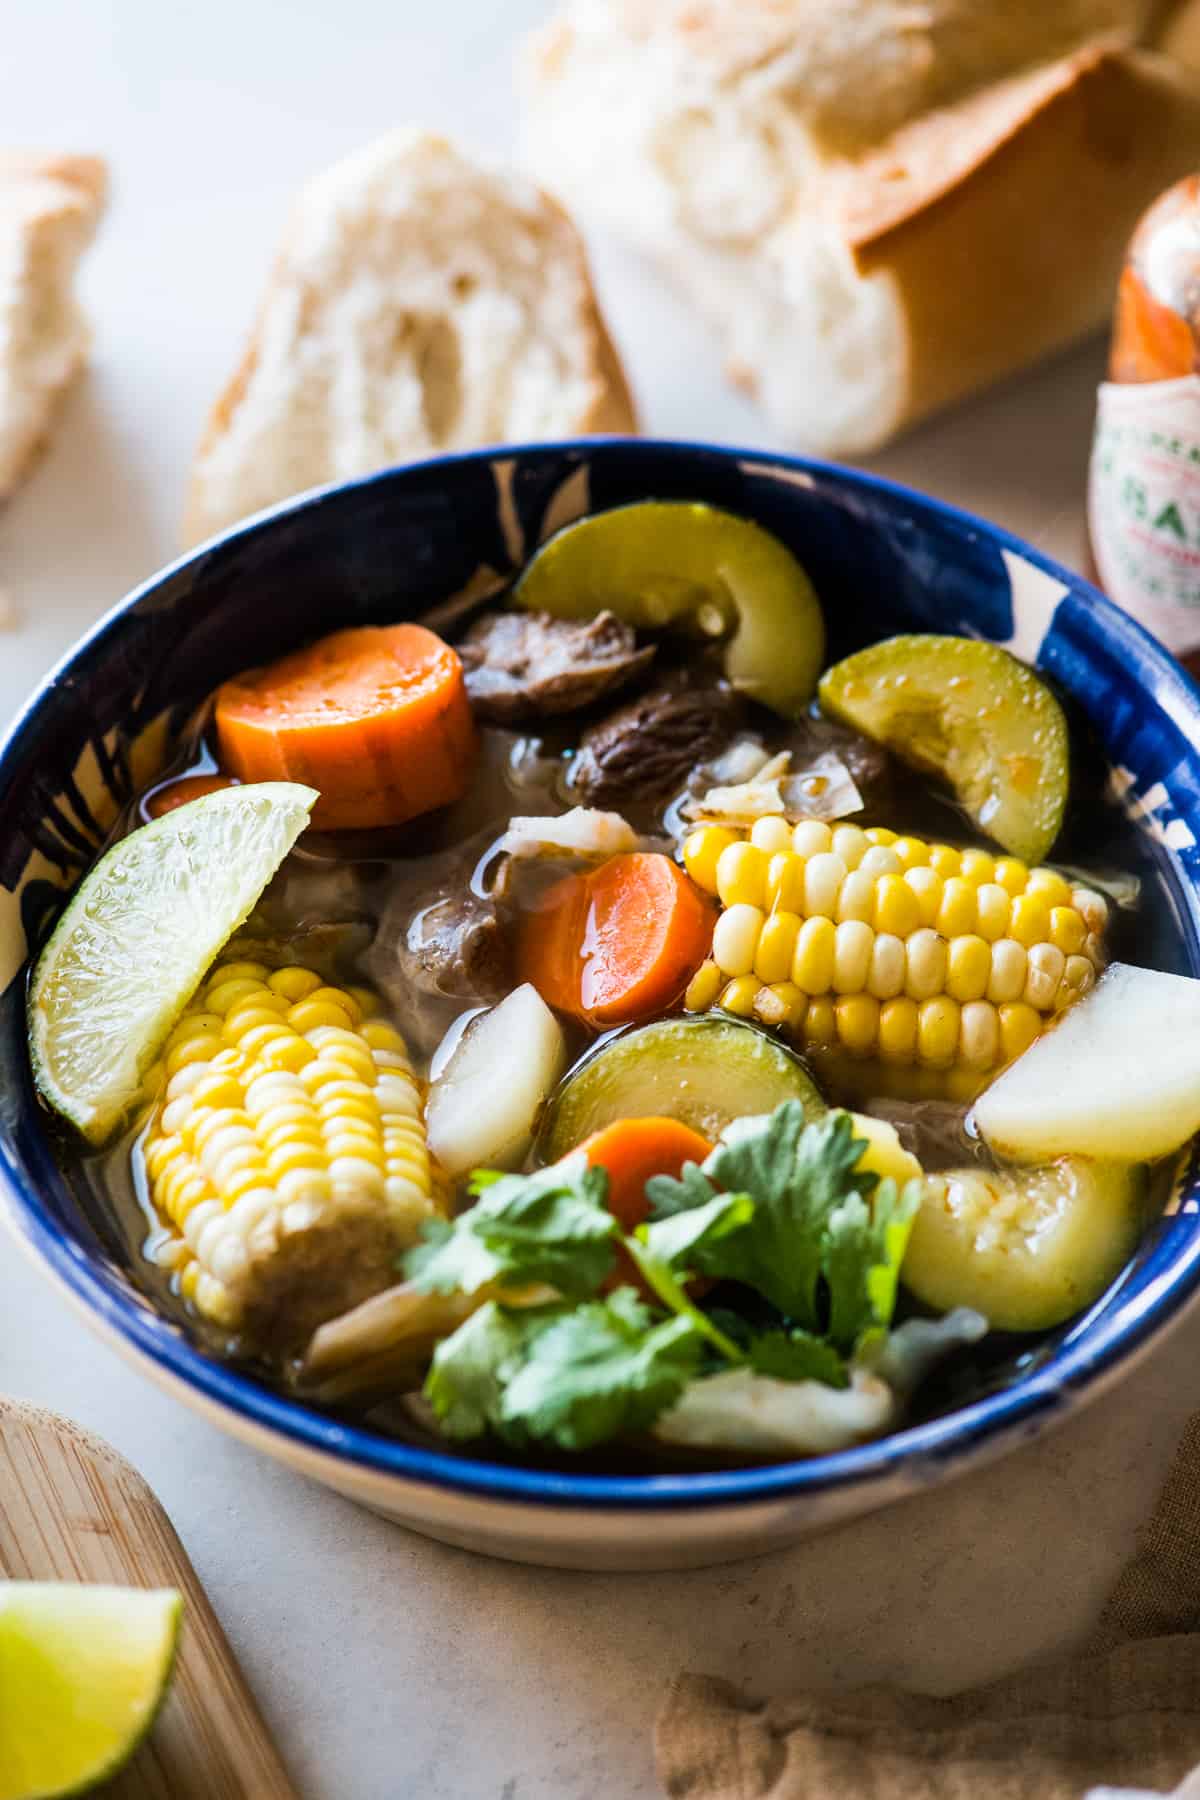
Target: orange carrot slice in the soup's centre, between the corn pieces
pixel 618 944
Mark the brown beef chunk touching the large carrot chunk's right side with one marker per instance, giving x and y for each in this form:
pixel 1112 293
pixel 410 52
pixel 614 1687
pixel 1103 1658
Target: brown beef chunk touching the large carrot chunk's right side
pixel 528 665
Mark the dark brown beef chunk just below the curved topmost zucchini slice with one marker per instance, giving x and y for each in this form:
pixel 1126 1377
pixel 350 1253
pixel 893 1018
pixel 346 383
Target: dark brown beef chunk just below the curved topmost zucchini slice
pixel 650 746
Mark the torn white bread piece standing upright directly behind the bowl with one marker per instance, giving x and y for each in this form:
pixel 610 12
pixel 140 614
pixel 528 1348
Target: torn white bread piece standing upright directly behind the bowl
pixel 424 300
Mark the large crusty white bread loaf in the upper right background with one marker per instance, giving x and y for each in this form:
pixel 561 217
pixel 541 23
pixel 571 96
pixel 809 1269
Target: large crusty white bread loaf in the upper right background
pixel 881 208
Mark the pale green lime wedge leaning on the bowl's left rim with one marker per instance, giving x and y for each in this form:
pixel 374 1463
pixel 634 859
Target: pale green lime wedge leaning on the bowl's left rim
pixel 138 937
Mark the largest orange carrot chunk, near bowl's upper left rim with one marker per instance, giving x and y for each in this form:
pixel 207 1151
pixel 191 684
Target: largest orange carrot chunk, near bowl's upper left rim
pixel 377 719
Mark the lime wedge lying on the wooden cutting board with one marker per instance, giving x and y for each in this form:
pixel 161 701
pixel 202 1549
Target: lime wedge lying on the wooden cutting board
pixel 82 1677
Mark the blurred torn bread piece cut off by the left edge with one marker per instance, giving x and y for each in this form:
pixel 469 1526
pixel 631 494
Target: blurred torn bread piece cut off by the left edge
pixel 49 210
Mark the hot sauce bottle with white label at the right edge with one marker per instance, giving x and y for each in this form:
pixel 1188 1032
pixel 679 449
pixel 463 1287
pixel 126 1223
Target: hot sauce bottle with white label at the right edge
pixel 1145 474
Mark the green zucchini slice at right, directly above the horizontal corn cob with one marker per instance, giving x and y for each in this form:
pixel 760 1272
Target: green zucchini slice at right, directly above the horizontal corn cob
pixel 971 714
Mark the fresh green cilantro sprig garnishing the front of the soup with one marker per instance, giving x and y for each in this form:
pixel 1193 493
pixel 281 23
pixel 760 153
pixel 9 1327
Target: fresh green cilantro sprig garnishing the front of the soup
pixel 780 1209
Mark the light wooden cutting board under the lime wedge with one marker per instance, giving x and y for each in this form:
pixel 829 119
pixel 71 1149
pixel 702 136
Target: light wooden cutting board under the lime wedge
pixel 73 1509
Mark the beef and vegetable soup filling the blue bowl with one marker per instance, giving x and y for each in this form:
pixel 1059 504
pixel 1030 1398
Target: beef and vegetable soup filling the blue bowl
pixel 613 1032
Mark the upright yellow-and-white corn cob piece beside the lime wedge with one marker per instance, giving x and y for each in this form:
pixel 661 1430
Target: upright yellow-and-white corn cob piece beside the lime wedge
pixel 289 1151
